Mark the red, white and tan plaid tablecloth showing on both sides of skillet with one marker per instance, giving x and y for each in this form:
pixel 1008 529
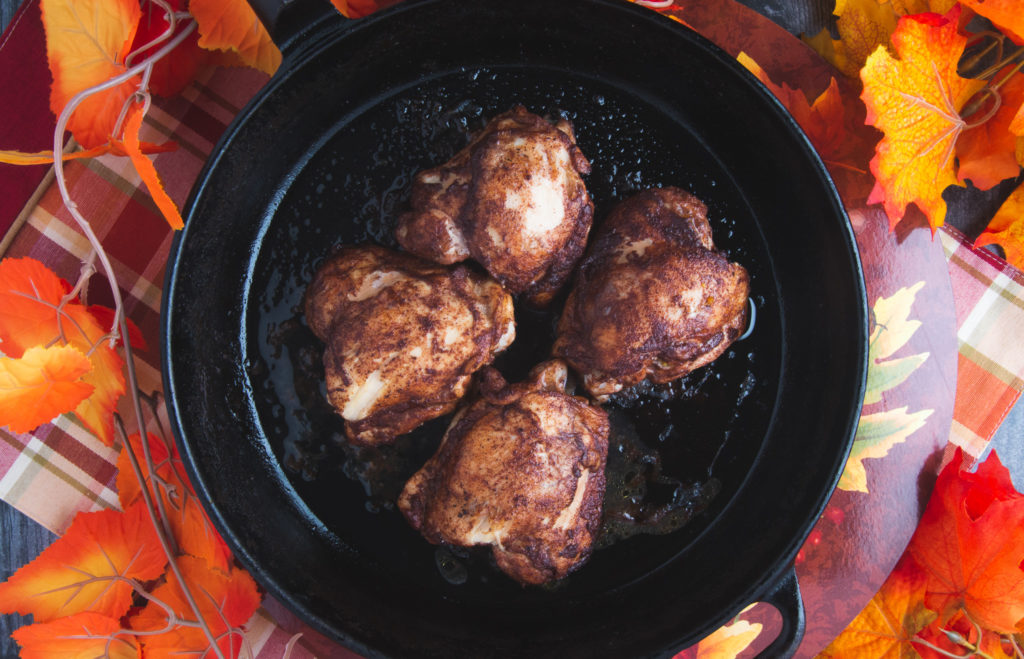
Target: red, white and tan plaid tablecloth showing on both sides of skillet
pixel 61 469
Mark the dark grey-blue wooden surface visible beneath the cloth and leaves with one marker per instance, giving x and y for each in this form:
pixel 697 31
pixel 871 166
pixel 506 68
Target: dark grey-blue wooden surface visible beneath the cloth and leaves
pixel 22 540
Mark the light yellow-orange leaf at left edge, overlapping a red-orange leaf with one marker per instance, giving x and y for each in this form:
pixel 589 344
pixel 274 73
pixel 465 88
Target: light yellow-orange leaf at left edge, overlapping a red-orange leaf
pixel 44 383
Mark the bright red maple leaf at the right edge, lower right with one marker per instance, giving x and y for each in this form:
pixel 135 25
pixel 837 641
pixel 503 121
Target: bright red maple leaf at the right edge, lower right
pixel 970 543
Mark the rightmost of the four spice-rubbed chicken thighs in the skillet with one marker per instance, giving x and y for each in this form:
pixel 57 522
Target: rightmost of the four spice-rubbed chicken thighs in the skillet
pixel 654 299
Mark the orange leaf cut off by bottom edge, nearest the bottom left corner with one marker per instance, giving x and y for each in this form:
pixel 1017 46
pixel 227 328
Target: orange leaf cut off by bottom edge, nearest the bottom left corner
pixel 83 636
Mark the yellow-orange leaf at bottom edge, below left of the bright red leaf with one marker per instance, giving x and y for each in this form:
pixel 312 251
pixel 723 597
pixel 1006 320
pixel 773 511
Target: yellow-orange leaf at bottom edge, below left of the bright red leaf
pixel 887 628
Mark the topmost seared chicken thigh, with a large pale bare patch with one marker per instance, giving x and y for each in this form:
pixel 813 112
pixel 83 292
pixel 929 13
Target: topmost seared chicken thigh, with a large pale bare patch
pixel 513 201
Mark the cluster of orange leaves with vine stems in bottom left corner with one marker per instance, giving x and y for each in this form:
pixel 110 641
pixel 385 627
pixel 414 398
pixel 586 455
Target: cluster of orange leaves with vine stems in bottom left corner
pixel 110 588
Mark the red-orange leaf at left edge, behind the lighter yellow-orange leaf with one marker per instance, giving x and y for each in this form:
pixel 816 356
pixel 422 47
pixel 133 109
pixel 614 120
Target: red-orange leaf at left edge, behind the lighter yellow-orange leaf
pixel 35 314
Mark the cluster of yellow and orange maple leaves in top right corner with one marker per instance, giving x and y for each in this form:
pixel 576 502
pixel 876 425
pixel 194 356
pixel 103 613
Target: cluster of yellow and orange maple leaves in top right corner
pixel 944 83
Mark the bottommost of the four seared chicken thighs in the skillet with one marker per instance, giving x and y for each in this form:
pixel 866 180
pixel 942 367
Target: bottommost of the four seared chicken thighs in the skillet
pixel 522 470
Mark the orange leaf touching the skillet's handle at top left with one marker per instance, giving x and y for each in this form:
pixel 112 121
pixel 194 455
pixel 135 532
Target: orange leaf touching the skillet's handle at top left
pixel 233 26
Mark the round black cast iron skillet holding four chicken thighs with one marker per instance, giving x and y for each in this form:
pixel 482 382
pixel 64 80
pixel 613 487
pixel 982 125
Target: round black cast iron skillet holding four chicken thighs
pixel 324 156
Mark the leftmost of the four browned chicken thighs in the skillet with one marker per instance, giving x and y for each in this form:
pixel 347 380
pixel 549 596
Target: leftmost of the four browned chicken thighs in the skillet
pixel 404 337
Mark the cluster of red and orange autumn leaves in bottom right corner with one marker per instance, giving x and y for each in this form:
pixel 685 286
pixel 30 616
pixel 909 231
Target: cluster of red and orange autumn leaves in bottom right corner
pixel 959 590
